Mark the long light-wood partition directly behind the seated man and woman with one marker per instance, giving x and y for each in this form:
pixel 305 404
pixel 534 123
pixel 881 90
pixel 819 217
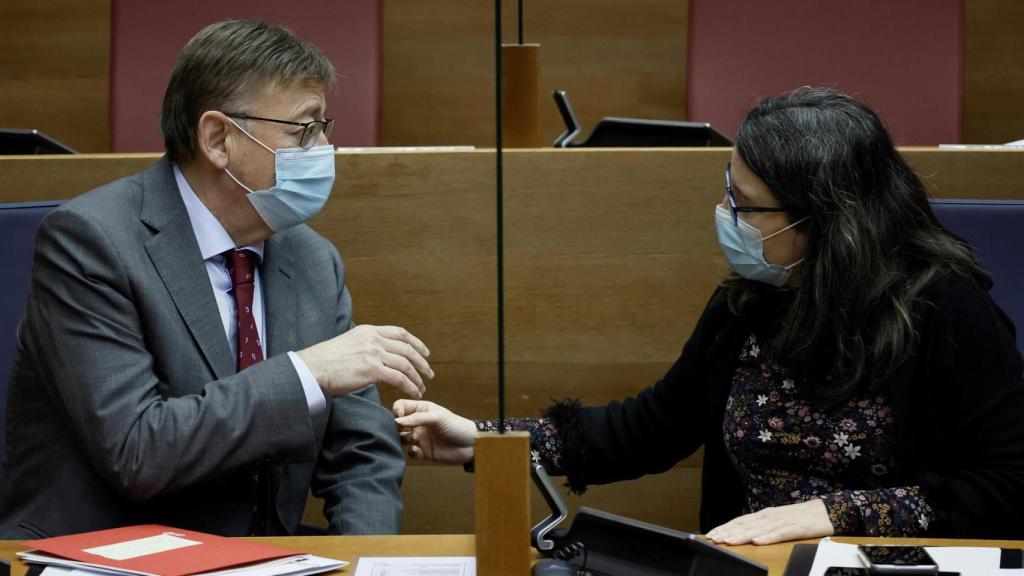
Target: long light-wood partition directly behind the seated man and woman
pixel 611 258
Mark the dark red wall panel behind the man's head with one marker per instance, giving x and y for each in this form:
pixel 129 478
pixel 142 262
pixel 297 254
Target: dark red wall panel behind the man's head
pixel 147 37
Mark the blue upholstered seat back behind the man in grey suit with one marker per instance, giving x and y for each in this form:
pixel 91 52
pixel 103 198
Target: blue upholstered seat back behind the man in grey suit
pixel 19 224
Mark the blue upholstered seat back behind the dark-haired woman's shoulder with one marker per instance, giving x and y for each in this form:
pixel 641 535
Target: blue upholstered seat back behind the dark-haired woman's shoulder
pixel 996 230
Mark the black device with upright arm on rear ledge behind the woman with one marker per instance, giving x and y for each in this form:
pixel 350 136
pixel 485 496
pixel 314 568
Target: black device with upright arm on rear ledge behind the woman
pixel 635 133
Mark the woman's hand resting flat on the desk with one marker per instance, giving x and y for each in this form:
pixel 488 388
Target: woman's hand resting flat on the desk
pixel 779 524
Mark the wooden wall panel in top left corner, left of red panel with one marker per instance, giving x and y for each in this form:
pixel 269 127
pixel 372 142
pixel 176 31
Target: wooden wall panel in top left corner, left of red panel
pixel 55 70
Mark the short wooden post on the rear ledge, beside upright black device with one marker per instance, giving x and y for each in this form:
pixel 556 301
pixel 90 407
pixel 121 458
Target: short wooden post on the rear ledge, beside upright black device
pixel 521 76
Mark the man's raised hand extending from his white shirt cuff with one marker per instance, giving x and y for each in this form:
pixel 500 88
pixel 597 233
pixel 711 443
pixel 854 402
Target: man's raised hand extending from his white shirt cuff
pixel 365 355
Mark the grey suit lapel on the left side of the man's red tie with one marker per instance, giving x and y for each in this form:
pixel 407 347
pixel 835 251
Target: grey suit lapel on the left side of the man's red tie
pixel 176 255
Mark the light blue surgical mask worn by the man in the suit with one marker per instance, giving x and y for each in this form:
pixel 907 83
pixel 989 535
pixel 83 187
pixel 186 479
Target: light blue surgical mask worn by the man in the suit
pixel 305 179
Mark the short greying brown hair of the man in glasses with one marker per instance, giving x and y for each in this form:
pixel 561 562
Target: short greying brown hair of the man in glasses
pixel 224 67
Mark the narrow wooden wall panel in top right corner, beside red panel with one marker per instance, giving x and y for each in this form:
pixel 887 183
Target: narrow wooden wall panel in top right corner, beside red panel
pixel 994 77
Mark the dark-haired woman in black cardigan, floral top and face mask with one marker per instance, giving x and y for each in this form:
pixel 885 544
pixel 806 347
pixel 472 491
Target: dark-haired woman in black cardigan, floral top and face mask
pixel 851 377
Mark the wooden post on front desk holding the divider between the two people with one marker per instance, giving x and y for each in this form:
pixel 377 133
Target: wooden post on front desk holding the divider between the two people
pixel 503 505
